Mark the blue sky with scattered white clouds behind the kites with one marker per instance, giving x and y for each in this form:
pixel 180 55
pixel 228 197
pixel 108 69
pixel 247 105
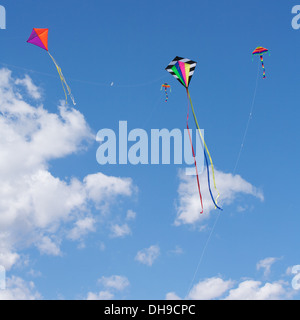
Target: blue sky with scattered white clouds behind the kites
pixel 130 43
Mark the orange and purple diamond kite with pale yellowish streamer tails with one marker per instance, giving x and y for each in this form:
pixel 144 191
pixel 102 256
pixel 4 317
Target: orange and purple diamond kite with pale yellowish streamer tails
pixel 39 37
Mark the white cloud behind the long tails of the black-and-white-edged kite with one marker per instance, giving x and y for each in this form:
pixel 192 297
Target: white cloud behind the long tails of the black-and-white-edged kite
pixel 229 186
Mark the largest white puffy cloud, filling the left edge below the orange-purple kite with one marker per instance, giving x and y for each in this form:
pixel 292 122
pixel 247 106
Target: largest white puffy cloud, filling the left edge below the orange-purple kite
pixel 34 204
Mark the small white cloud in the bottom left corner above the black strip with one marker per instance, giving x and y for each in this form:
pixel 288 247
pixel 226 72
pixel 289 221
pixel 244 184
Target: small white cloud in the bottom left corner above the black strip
pixel 18 289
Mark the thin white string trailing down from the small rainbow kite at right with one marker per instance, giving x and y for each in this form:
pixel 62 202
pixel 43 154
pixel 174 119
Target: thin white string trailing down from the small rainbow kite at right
pixel 234 171
